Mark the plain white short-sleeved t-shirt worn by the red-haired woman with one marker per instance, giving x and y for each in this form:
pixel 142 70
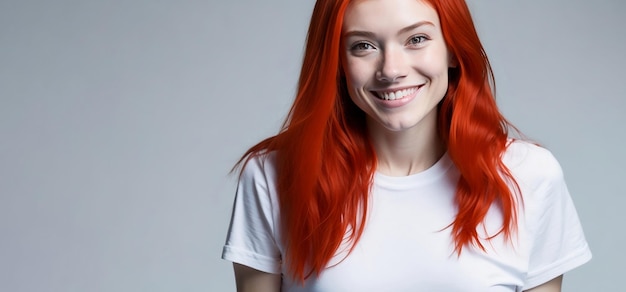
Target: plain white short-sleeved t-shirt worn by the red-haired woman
pixel 405 245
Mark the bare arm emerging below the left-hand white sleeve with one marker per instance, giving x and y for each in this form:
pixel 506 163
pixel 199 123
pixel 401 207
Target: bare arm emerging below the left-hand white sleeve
pixel 249 279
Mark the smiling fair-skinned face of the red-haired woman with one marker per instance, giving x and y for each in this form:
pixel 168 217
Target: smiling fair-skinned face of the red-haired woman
pixel 395 60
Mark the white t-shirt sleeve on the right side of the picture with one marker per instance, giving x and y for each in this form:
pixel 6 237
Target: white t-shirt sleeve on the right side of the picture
pixel 559 244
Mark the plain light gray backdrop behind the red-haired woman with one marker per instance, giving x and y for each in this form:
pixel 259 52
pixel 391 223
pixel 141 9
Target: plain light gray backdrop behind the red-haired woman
pixel 119 121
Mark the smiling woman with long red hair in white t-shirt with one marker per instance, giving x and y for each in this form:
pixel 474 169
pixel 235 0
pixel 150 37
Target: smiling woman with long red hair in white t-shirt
pixel 395 171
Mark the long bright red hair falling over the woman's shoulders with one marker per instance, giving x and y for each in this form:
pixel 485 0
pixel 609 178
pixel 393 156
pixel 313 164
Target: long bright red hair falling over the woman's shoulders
pixel 325 162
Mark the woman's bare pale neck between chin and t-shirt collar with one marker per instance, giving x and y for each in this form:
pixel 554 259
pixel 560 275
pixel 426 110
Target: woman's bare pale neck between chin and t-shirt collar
pixel 407 152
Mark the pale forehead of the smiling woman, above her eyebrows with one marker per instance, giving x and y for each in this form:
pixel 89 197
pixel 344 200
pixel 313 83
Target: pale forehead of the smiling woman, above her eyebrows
pixel 373 15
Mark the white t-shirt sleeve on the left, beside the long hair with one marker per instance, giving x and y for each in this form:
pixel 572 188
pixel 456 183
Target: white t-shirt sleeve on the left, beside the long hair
pixel 251 238
